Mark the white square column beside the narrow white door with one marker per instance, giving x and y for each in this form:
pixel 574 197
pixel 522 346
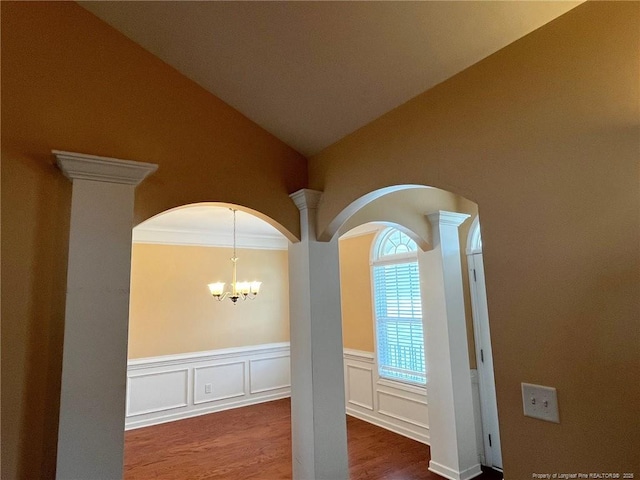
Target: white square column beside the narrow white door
pixel 454 453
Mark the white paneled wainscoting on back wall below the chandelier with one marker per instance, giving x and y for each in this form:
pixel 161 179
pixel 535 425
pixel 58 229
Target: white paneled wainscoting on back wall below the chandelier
pixel 173 387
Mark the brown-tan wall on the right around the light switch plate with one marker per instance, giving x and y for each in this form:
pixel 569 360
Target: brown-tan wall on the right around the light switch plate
pixel 543 135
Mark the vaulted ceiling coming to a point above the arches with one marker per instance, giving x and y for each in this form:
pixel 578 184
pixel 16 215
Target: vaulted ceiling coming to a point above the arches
pixel 312 72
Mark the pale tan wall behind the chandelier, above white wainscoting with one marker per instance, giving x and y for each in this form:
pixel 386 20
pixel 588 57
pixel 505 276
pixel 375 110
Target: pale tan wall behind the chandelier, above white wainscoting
pixel 172 312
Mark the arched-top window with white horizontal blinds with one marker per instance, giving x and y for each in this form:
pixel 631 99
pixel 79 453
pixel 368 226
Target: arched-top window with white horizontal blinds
pixel 398 308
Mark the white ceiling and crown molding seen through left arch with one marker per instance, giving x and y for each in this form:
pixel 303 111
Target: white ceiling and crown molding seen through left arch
pixel 209 226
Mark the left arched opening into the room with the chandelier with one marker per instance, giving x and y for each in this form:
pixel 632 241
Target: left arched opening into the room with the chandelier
pixel 190 354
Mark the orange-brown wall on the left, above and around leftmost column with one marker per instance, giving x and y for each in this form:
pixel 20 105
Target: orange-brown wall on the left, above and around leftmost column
pixel 71 82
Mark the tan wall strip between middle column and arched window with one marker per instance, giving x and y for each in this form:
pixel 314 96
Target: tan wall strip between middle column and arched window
pixel 355 289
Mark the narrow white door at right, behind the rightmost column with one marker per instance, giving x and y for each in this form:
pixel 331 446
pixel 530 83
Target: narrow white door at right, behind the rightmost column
pixel 484 357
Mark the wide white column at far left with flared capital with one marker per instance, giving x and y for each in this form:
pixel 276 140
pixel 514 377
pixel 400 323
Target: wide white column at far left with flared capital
pixel 94 363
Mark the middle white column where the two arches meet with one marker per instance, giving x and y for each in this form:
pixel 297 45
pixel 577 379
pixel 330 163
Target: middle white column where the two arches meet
pixel 318 419
